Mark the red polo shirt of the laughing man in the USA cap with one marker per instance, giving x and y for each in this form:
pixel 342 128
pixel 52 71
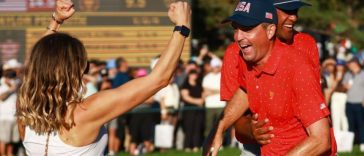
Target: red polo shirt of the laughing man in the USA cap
pixel 285 91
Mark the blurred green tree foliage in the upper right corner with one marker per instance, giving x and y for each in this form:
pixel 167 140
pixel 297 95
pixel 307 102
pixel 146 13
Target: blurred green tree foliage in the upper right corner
pixel 341 18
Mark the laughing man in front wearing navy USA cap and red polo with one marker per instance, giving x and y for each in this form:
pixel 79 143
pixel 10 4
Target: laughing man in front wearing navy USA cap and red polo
pixel 282 87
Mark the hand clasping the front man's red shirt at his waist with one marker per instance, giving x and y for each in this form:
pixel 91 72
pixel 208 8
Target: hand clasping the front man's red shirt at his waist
pixel 260 133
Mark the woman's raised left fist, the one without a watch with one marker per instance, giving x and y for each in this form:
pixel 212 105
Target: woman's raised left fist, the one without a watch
pixel 64 10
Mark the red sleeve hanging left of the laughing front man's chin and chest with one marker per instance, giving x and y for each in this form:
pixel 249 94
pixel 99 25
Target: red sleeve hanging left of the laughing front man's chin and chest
pixel 231 69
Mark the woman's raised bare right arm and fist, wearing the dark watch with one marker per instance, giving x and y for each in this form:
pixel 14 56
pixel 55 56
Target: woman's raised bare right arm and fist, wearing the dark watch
pixel 104 106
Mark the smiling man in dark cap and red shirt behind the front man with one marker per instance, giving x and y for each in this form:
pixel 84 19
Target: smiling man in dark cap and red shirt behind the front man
pixel 287 17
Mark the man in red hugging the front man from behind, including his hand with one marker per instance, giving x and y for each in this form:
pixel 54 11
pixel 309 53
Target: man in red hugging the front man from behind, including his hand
pixel 287 17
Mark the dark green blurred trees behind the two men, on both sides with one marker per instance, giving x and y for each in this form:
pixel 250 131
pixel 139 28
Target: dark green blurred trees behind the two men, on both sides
pixel 334 19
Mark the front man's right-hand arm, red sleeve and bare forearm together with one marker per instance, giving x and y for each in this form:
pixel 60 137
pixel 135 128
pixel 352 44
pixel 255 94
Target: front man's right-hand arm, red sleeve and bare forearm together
pixel 312 111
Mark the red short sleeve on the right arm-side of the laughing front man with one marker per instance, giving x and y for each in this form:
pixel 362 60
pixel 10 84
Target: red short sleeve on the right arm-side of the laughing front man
pixel 311 105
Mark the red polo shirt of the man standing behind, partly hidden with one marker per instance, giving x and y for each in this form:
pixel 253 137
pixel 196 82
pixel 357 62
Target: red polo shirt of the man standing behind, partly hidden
pixel 230 68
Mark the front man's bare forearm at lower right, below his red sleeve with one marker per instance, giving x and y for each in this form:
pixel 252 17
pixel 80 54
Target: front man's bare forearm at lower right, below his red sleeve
pixel 317 142
